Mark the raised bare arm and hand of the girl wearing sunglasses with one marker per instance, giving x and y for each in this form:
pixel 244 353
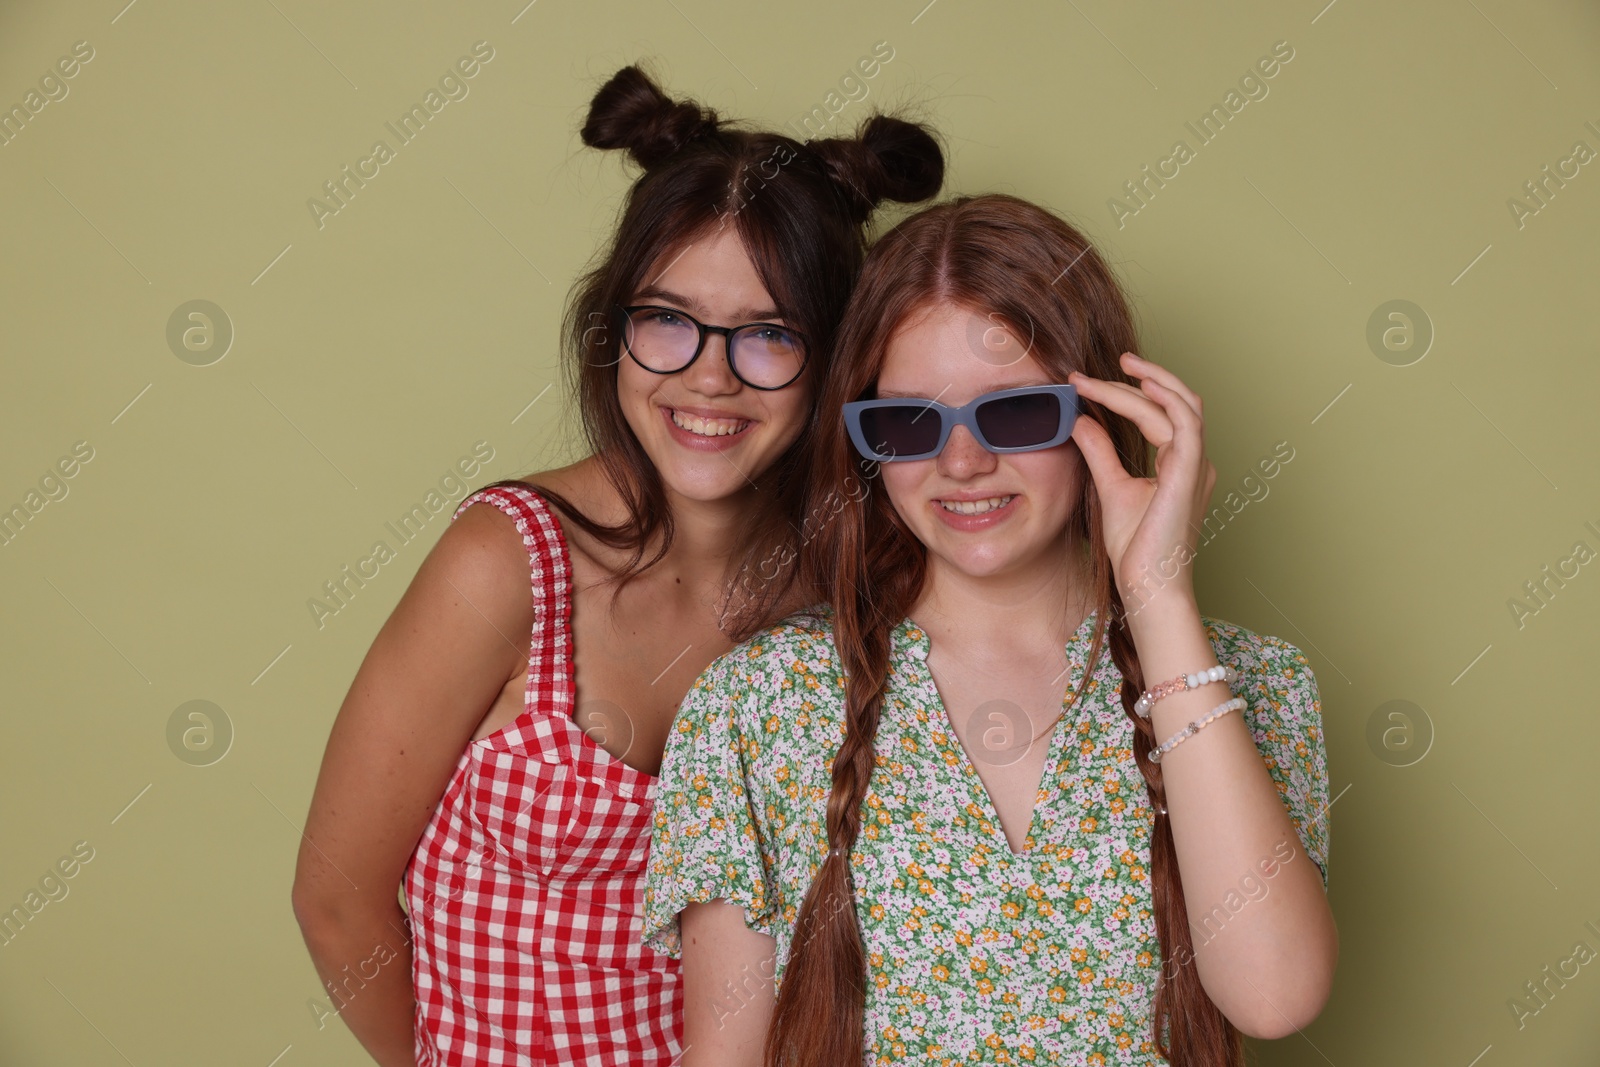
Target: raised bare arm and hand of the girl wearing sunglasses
pixel 1271 969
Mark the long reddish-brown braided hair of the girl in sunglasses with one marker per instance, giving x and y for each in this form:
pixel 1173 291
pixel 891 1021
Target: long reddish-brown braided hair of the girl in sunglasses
pixel 1004 257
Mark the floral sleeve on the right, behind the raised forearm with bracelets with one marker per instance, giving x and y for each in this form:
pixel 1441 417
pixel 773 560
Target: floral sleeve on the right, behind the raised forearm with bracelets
pixel 1286 719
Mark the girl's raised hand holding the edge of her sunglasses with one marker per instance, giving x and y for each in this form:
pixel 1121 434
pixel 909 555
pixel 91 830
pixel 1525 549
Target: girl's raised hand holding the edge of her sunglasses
pixel 1150 524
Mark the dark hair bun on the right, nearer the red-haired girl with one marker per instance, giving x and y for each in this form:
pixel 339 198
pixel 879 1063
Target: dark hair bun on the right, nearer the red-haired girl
pixel 889 159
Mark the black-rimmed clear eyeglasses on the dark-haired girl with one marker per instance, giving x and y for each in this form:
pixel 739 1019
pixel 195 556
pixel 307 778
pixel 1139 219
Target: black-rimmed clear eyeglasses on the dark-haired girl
pixel 666 342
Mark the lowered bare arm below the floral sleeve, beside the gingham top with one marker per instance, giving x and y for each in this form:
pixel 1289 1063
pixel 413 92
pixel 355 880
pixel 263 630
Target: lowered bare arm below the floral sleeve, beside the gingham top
pixel 727 986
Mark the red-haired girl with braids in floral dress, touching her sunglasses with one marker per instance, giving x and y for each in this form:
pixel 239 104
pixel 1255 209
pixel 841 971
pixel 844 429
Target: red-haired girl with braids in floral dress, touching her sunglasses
pixel 930 821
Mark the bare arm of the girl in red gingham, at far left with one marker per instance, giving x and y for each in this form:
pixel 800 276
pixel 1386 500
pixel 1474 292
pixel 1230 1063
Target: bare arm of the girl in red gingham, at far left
pixel 428 681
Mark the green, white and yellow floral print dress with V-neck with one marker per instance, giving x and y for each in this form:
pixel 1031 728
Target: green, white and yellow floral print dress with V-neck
pixel 975 954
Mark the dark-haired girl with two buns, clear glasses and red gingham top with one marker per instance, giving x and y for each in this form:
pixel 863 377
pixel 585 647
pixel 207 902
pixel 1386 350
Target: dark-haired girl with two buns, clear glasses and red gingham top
pixel 498 751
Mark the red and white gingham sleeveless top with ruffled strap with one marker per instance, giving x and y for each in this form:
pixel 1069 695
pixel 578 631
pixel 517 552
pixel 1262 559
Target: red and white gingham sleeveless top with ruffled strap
pixel 527 887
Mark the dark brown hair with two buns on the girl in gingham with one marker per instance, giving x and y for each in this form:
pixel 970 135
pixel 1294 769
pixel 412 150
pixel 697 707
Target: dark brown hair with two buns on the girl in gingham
pixel 801 212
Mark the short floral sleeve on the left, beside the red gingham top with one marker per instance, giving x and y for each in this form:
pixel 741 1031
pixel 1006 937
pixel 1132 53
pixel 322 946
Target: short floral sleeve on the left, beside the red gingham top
pixel 706 841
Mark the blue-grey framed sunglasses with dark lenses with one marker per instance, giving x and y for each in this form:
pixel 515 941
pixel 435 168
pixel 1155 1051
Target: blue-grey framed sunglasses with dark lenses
pixel 1006 422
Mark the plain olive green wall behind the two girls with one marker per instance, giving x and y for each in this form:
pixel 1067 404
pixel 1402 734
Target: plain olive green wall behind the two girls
pixel 372 353
